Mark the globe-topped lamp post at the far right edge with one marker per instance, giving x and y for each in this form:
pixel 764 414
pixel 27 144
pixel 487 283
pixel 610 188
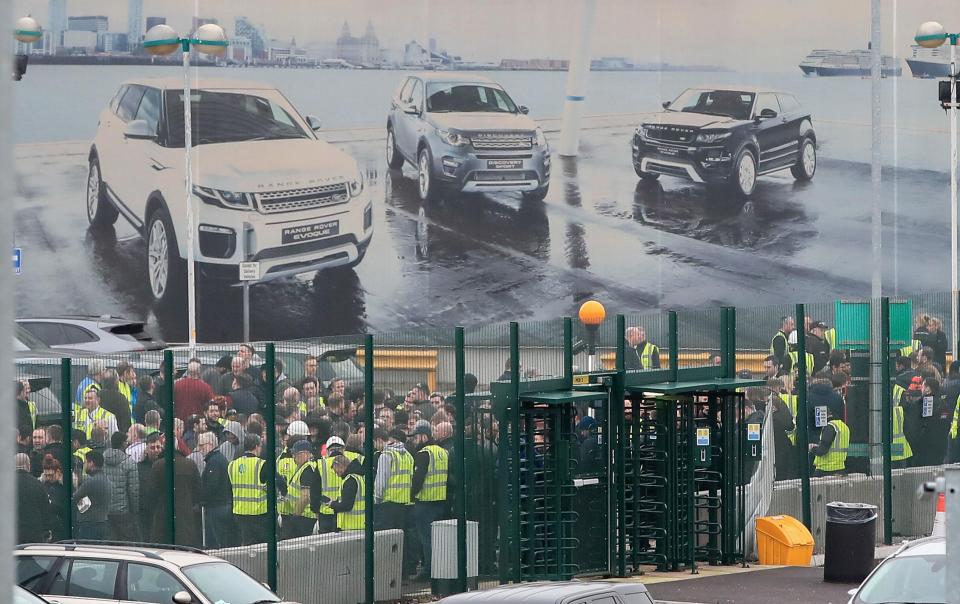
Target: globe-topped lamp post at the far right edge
pixel 932 35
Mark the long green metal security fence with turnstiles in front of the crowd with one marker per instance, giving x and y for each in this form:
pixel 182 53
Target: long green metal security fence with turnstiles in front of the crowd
pixel 402 465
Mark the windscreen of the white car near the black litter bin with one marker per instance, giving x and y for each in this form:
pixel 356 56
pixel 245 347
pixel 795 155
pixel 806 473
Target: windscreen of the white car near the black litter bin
pixel 918 579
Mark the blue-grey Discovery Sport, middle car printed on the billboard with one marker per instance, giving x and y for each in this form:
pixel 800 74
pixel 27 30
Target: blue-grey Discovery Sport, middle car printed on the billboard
pixel 465 133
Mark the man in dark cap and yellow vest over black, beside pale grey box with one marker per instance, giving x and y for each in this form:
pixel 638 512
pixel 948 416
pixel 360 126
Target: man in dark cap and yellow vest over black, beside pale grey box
pixel 431 465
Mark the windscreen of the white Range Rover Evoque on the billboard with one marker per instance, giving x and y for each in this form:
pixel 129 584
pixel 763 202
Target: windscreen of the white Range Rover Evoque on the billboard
pixel 230 116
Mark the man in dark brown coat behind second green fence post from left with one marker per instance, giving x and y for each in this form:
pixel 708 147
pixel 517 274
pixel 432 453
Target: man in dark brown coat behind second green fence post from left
pixel 186 504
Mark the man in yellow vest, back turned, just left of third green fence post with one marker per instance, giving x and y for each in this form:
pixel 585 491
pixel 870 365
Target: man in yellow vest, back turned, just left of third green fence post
pixel 248 481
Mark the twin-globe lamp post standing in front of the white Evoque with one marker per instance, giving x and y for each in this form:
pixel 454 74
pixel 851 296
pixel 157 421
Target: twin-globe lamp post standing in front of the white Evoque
pixel 212 40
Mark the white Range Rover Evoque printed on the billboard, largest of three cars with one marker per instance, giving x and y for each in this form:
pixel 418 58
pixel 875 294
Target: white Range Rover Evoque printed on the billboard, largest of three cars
pixel 266 188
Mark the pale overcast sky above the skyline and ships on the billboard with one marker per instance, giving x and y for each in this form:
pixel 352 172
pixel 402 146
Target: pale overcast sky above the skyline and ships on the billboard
pixel 747 35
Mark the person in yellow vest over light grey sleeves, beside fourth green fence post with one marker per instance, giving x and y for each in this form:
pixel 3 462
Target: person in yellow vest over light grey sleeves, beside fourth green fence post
pixel 391 488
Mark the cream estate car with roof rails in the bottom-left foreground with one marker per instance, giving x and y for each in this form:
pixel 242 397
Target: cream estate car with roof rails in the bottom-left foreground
pixel 79 572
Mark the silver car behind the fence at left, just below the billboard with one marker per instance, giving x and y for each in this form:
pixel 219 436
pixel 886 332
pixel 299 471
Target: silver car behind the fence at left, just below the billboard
pixel 103 334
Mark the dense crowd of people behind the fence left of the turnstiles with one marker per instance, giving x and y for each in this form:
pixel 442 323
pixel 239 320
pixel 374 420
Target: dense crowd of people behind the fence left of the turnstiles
pixel 117 457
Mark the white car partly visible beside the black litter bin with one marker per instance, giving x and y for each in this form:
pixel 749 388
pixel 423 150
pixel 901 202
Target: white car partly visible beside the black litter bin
pixel 917 572
